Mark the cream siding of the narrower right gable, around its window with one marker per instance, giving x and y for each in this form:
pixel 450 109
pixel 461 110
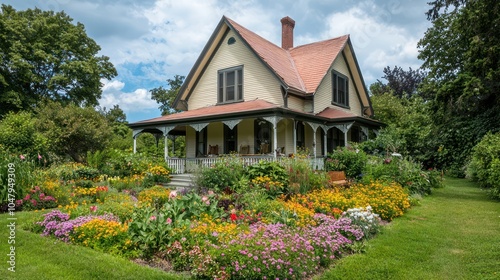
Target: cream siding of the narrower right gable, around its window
pixel 323 97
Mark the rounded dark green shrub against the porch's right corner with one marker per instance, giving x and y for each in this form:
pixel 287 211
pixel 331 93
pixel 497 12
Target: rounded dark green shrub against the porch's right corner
pixel 348 159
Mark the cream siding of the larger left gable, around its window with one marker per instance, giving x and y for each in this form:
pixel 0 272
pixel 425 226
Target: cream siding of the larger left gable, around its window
pixel 258 81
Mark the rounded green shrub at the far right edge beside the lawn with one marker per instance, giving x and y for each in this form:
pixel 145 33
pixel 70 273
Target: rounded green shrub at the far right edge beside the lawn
pixel 484 166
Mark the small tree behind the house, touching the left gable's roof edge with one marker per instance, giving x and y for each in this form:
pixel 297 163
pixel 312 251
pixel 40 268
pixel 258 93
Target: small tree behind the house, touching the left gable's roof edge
pixel 166 97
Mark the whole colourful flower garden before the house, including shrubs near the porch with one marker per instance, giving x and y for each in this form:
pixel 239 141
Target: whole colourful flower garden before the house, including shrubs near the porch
pixel 270 220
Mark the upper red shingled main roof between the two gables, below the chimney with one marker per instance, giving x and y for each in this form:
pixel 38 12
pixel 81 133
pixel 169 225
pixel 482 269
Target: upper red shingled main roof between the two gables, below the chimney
pixel 302 67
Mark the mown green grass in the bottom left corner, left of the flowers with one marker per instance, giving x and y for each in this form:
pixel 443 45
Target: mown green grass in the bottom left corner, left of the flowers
pixel 40 257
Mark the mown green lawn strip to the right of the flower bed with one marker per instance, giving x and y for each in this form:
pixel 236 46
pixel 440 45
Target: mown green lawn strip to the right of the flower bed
pixel 453 234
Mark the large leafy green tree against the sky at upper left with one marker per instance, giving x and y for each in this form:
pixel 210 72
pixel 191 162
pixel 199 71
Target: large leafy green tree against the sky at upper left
pixel 44 56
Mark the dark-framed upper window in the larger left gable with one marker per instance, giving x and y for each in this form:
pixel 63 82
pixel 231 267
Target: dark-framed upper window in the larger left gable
pixel 230 85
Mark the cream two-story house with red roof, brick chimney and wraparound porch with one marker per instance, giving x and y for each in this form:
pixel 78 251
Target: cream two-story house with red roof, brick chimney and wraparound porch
pixel 249 96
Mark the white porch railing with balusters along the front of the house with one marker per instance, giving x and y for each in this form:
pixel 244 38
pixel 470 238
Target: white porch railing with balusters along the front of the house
pixel 188 165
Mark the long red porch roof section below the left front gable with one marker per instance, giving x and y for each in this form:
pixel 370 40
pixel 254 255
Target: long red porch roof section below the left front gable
pixel 215 110
